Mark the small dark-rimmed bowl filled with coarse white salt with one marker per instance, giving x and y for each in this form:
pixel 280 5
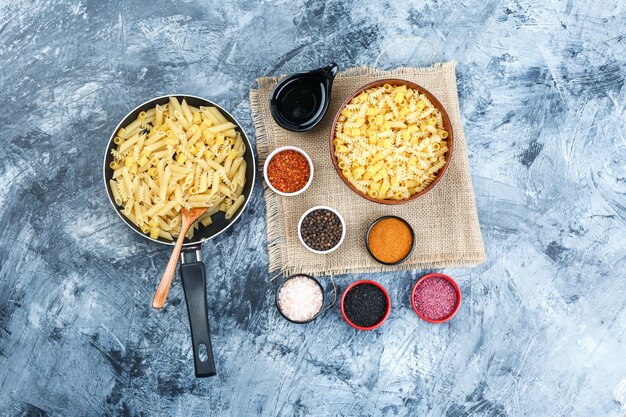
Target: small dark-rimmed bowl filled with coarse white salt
pixel 300 298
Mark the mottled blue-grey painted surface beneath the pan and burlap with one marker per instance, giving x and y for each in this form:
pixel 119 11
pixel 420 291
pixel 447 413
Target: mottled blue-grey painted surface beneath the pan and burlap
pixel 541 331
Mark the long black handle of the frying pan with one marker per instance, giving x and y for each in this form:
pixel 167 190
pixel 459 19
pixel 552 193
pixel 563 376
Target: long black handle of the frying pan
pixel 193 277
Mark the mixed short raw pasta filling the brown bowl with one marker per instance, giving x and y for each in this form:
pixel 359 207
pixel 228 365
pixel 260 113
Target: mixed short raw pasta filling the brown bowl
pixel 390 142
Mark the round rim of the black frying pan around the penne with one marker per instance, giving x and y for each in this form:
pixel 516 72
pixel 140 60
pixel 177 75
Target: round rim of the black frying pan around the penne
pixel 117 128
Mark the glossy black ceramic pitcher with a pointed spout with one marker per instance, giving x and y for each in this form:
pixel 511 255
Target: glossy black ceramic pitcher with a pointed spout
pixel 300 101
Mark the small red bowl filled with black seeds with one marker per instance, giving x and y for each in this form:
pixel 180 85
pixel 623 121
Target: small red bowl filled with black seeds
pixel 365 305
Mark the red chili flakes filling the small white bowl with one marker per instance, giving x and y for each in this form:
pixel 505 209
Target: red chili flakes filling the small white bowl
pixel 288 171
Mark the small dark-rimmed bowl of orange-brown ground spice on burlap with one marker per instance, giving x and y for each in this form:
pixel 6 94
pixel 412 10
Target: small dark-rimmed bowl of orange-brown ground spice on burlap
pixel 390 240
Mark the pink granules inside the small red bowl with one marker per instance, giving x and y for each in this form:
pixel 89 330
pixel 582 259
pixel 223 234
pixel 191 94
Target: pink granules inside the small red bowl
pixel 435 298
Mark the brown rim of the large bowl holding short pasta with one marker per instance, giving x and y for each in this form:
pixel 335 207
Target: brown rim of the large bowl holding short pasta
pixel 446 123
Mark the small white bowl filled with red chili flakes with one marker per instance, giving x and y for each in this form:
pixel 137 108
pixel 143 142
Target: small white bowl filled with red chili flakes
pixel 288 171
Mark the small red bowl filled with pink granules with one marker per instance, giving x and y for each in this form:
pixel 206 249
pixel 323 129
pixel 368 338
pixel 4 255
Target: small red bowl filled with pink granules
pixel 436 298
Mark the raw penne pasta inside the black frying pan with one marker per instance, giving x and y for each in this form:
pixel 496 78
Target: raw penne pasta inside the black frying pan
pixel 177 155
